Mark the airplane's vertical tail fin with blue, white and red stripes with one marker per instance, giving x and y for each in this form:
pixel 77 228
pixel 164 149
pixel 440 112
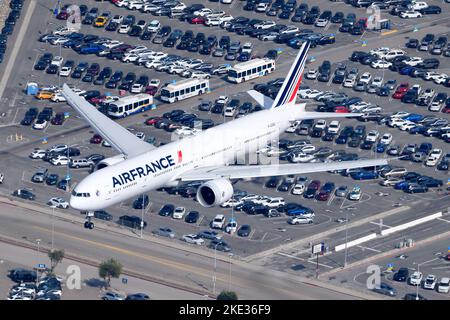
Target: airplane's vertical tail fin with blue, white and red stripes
pixel 289 89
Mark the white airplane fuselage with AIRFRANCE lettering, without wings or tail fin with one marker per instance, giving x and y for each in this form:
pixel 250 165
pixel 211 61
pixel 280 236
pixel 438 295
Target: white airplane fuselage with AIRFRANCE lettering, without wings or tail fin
pixel 217 146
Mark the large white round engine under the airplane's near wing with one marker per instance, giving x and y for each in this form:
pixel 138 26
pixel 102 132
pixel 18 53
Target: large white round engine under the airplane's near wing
pixel 214 192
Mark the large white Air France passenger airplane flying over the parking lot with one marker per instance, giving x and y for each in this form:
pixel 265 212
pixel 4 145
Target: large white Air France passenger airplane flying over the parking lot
pixel 208 156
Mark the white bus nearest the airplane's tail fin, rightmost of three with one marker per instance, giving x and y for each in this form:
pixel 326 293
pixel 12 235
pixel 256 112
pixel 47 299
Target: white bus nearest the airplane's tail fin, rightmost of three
pixel 251 69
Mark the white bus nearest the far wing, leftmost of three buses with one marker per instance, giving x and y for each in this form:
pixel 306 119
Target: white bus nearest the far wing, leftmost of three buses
pixel 129 105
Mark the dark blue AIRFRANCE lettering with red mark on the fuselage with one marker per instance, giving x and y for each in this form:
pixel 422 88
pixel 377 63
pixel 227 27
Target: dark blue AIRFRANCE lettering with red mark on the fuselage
pixel 143 171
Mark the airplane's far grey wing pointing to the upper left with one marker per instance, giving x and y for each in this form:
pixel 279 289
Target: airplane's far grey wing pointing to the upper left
pixel 120 138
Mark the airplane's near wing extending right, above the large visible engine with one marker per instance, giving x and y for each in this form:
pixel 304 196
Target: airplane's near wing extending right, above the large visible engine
pixel 255 171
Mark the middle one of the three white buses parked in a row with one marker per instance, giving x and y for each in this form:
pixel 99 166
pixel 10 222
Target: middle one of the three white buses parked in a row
pixel 184 89
